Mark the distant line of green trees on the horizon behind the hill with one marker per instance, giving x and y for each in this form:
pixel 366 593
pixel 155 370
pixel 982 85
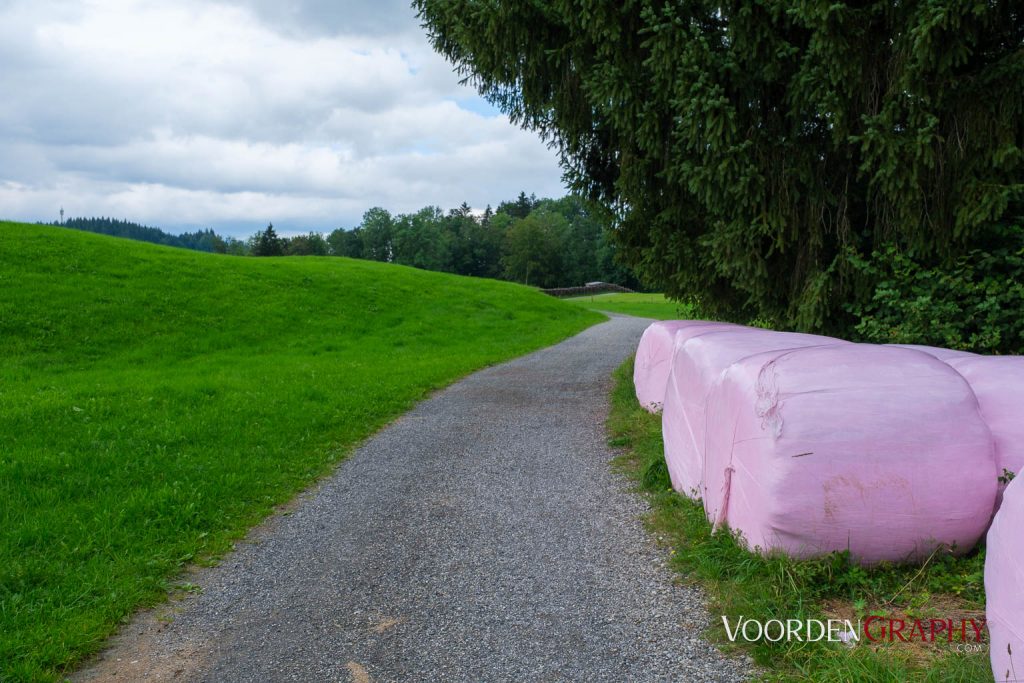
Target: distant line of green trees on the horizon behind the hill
pixel 545 243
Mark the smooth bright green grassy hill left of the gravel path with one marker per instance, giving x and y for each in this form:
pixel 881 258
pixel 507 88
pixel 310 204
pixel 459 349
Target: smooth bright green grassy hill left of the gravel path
pixel 156 403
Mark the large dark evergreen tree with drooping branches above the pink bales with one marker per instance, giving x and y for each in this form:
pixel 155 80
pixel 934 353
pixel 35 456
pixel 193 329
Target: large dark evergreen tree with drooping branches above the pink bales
pixel 750 150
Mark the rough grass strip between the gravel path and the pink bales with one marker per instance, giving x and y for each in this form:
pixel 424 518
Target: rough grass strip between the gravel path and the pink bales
pixel 742 583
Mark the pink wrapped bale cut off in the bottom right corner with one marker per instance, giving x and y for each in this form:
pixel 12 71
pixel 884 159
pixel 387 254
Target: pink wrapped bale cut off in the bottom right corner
pixel 1005 586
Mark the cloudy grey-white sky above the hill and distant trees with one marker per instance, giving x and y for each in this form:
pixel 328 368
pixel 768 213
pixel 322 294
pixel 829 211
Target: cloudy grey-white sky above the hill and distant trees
pixel 187 114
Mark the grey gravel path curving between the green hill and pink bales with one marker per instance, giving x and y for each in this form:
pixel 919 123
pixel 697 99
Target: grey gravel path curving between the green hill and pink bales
pixel 483 537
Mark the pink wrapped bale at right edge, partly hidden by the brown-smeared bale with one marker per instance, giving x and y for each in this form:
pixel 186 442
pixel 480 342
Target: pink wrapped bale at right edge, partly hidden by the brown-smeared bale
pixel 998 381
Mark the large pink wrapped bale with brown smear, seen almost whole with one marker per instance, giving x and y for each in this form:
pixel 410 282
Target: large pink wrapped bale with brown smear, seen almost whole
pixel 875 450
